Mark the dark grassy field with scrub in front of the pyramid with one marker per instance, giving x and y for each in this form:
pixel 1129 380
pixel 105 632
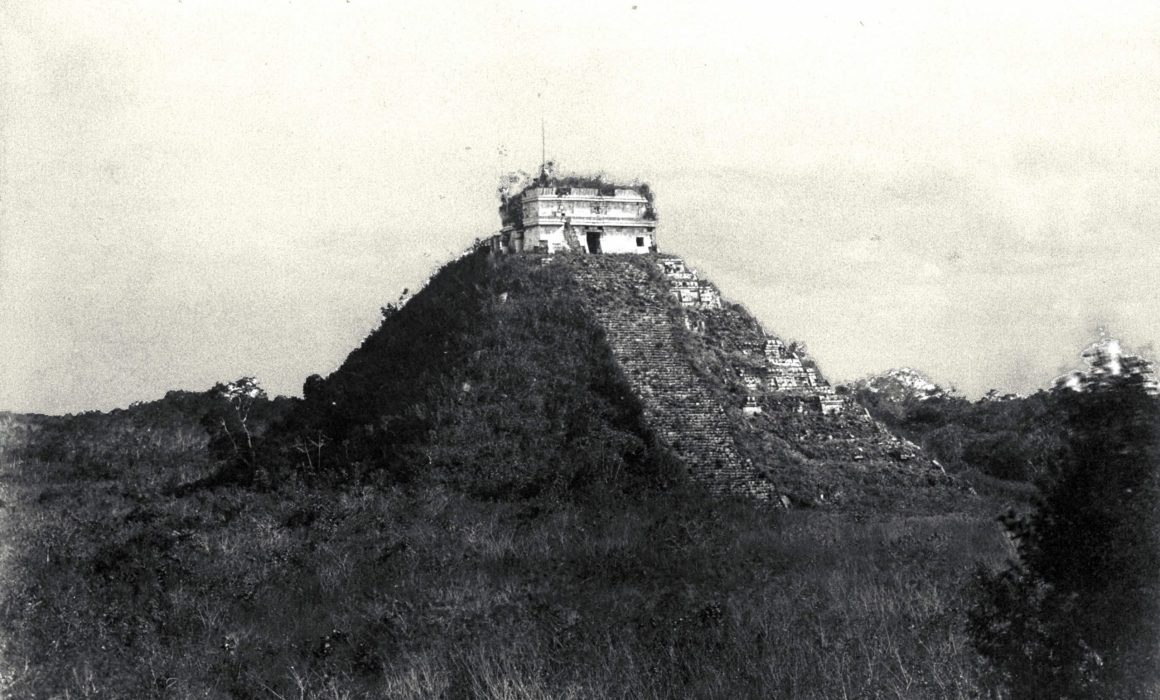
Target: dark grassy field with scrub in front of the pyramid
pixel 114 589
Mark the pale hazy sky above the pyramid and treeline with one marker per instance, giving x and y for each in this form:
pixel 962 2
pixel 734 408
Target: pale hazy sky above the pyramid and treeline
pixel 192 192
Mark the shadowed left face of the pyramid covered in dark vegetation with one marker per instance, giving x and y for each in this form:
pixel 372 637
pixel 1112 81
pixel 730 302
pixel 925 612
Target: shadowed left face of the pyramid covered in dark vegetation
pixel 492 379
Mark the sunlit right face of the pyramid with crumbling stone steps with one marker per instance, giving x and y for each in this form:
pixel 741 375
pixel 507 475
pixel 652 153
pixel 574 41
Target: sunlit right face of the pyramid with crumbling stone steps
pixel 744 413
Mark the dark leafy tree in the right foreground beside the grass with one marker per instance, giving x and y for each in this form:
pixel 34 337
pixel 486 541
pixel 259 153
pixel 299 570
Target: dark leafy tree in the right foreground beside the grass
pixel 1078 615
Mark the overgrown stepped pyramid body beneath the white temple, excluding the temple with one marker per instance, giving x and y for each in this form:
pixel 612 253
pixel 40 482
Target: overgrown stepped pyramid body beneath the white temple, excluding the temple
pixel 530 374
